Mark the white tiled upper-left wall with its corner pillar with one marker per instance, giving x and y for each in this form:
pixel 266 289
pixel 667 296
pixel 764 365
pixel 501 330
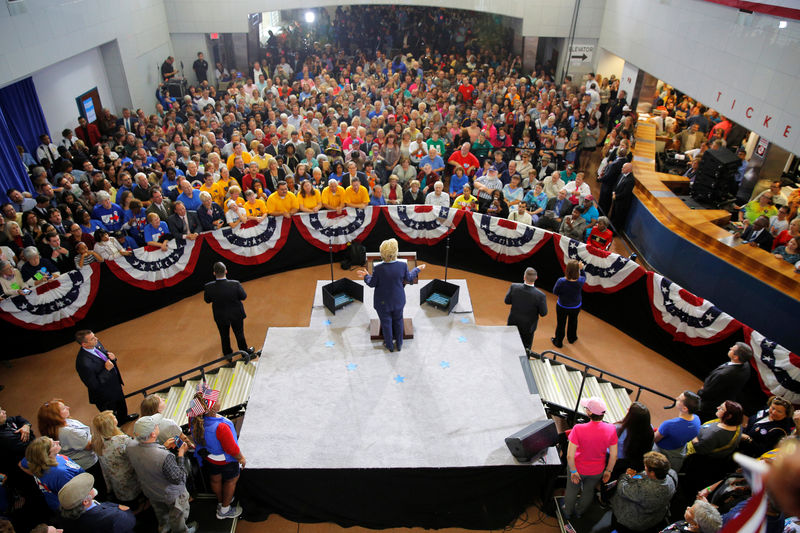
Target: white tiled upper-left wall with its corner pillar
pixel 51 31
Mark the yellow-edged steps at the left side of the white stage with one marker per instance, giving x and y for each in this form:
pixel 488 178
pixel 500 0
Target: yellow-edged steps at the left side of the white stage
pixel 233 384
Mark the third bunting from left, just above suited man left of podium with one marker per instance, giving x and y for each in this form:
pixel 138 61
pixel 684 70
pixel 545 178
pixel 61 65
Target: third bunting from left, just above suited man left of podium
pixel 251 244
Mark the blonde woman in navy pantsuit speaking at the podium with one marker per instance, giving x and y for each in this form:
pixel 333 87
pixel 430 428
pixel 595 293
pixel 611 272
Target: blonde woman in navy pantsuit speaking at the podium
pixel 388 279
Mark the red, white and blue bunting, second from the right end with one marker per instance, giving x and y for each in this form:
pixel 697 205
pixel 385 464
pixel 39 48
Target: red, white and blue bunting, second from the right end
pixel 688 318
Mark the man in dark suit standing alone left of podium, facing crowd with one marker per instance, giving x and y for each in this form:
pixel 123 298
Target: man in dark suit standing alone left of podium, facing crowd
pixel 226 296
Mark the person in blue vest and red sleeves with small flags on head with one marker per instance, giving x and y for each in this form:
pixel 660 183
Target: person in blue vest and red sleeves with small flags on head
pixel 217 445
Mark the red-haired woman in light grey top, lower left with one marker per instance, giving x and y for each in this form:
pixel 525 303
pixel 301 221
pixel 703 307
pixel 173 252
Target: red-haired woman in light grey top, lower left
pixel 75 439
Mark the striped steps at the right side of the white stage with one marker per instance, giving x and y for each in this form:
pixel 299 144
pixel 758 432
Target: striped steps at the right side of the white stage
pixel 559 384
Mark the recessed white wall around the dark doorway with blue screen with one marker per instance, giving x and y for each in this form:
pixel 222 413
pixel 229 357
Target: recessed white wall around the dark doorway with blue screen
pixel 58 85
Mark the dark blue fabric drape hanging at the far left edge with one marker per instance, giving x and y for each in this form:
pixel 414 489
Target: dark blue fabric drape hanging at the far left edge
pixel 21 123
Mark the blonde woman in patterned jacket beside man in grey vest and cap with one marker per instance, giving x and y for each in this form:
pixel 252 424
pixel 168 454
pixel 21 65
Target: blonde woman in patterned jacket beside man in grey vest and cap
pixel 110 443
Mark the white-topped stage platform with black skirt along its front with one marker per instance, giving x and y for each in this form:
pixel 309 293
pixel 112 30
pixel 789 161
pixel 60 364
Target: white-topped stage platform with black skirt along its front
pixel 410 438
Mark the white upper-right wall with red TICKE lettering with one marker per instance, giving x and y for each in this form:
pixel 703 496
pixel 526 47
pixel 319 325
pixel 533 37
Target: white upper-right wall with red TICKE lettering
pixel 746 67
